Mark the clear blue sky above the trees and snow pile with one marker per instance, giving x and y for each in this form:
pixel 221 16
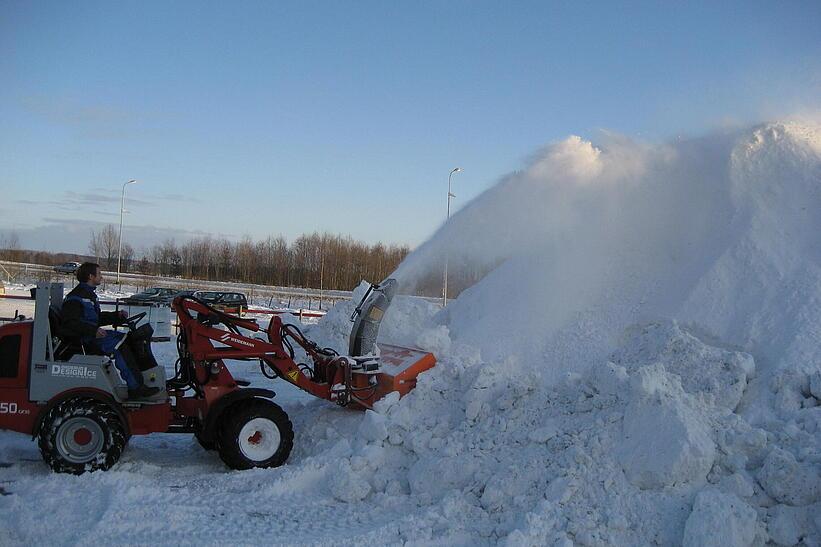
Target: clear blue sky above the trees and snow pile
pixel 257 118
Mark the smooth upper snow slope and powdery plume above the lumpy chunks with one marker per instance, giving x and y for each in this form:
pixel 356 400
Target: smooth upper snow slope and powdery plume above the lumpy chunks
pixel 719 231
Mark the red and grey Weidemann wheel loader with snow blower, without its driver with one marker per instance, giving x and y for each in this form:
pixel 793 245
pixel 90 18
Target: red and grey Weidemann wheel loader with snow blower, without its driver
pixel 75 403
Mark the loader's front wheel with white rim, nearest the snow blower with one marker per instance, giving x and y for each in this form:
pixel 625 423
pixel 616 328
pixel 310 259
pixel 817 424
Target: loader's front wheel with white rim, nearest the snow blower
pixel 271 447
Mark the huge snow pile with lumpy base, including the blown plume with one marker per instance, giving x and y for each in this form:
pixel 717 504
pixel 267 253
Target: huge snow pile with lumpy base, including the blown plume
pixel 641 363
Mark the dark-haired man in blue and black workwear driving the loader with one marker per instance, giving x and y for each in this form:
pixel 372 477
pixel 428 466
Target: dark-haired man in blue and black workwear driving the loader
pixel 82 319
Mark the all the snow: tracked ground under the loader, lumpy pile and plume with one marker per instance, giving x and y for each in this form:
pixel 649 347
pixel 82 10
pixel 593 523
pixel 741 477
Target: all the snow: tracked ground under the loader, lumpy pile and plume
pixel 642 366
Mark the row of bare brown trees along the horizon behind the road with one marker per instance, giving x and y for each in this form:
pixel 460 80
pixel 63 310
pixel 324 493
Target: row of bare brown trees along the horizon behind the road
pixel 317 261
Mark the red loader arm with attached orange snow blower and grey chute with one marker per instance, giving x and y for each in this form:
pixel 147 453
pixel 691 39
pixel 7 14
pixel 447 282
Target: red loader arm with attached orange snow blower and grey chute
pixel 365 375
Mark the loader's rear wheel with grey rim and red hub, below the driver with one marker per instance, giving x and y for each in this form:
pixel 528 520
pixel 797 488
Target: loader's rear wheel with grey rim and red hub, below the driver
pixel 81 435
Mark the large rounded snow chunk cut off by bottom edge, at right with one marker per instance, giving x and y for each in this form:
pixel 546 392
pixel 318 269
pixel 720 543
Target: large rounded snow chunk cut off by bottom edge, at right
pixel 720 520
